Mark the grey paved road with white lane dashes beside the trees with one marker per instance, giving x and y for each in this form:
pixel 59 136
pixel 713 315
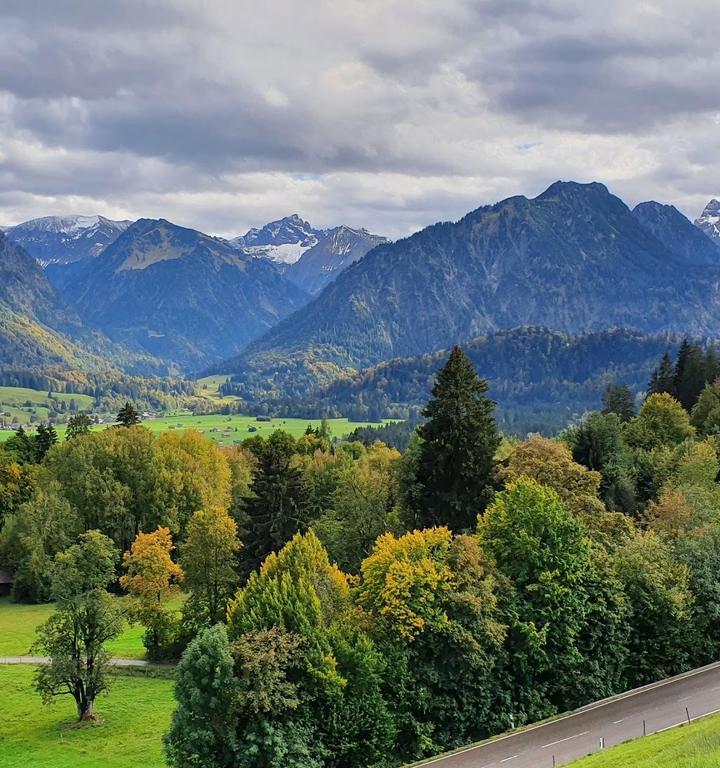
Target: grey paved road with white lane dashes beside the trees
pixel 661 706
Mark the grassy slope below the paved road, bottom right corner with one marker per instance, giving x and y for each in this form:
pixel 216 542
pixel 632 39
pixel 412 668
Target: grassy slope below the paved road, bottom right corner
pixel 688 746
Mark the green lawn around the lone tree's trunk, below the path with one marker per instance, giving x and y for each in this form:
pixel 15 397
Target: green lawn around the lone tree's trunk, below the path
pixel 134 715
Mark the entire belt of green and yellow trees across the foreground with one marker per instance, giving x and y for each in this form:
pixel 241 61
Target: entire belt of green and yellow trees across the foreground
pixel 350 605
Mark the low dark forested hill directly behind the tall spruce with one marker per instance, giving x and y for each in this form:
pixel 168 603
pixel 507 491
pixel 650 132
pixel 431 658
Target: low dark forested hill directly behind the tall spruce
pixel 540 379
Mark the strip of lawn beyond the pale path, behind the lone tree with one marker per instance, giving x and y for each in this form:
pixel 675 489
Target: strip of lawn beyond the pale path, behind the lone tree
pixel 17 632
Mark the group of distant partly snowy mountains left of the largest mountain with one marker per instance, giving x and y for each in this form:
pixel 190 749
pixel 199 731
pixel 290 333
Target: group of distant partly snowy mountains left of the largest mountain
pixel 179 294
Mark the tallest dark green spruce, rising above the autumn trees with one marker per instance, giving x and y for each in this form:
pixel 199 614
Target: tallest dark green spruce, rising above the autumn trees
pixel 456 468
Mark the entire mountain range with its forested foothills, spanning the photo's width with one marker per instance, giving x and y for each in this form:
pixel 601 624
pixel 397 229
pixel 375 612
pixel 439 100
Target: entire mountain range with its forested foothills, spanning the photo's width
pixel 308 320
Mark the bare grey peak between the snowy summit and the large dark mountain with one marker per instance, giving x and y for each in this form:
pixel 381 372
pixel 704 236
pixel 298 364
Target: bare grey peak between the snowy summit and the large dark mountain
pixel 336 250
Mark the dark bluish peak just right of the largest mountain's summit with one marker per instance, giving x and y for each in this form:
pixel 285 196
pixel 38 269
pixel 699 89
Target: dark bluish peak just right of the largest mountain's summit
pixel 677 233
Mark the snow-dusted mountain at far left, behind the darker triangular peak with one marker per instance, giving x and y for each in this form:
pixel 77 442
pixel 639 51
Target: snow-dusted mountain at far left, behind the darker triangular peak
pixel 65 239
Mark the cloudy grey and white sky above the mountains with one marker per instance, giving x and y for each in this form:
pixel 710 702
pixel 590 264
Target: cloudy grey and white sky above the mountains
pixel 389 114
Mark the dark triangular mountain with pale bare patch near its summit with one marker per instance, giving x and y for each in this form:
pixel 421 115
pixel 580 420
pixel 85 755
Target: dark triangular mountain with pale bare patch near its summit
pixel 179 294
